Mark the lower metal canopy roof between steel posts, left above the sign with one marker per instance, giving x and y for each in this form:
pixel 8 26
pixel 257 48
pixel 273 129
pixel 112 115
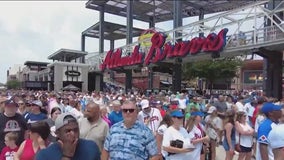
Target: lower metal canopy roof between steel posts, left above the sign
pixel 112 31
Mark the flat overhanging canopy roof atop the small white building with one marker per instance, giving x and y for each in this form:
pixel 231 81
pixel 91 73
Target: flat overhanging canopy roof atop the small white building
pixel 67 55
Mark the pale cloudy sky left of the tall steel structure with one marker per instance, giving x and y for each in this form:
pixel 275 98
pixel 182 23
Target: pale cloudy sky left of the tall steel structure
pixel 34 30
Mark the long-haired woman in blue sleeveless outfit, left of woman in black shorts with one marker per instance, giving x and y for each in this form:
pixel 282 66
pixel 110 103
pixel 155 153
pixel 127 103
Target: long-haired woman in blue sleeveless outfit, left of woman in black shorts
pixel 229 135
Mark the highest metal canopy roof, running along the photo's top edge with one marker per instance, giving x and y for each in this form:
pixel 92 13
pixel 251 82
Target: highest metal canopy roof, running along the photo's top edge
pixel 162 10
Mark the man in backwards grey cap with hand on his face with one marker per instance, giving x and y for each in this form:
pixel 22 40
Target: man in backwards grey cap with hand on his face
pixel 69 145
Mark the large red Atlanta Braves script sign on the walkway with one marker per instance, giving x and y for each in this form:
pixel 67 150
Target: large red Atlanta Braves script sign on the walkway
pixel 160 50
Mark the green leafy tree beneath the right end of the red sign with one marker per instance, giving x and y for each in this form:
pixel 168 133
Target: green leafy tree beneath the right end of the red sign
pixel 211 70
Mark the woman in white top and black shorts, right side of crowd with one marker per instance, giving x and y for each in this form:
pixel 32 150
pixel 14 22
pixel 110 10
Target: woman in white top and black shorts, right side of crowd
pixel 244 136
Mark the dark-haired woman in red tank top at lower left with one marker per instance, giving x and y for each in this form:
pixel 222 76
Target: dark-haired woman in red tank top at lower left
pixel 39 132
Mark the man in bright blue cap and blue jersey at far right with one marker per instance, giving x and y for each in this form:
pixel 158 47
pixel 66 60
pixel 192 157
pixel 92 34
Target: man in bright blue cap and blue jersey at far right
pixel 263 148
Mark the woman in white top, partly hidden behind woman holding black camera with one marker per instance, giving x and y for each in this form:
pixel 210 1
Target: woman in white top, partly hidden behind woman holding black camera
pixel 165 123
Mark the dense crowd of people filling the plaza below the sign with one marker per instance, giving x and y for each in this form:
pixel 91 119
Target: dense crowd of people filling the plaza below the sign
pixel 113 125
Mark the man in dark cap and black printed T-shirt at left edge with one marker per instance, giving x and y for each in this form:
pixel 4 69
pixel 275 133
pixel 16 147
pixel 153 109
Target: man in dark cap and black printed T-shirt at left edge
pixel 10 121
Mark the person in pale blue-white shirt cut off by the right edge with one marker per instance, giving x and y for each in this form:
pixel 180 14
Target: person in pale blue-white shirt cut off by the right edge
pixel 276 140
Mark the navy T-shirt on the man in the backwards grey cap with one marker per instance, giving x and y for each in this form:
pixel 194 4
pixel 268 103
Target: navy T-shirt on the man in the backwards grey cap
pixel 86 150
